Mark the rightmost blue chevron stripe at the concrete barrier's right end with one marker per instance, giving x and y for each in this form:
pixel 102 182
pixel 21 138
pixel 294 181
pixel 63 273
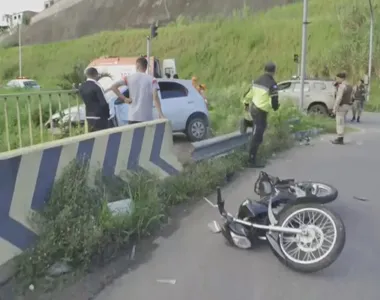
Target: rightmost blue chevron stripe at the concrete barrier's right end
pixel 156 150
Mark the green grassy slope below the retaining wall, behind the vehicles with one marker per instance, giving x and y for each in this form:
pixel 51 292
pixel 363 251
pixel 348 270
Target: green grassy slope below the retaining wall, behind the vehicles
pixel 224 53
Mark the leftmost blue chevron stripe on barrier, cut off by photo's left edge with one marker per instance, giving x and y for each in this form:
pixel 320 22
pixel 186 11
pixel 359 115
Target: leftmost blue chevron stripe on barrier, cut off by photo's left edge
pixel 10 230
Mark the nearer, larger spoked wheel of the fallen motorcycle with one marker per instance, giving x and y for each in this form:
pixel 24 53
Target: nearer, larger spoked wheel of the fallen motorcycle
pixel 320 248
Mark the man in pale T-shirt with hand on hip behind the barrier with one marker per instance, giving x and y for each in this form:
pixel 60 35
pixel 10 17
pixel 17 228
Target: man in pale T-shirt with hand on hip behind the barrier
pixel 143 93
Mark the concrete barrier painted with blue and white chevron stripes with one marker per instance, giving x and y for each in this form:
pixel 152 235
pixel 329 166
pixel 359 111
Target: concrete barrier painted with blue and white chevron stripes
pixel 27 175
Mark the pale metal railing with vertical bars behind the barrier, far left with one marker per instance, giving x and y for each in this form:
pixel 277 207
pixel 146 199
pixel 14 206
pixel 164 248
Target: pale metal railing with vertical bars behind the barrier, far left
pixel 38 117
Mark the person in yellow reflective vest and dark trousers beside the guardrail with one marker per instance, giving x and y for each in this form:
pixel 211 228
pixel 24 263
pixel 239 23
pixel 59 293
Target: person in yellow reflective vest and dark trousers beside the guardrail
pixel 264 99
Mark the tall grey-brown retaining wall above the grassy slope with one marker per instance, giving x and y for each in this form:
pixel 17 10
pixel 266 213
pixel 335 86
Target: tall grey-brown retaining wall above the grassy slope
pixel 71 19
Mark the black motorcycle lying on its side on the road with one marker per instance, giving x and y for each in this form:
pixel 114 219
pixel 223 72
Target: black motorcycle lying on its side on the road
pixel 301 231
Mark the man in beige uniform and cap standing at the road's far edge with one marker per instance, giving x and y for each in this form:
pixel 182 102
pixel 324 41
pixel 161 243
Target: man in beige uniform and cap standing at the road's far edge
pixel 342 105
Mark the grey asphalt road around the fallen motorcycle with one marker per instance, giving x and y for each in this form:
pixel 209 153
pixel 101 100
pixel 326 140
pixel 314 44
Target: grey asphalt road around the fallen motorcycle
pixel 204 267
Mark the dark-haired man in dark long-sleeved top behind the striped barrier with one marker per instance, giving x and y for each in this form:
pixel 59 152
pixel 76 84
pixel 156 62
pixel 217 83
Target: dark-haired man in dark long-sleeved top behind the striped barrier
pixel 97 109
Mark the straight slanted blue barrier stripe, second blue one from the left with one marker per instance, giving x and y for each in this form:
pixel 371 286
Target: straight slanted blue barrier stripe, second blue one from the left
pixel 46 176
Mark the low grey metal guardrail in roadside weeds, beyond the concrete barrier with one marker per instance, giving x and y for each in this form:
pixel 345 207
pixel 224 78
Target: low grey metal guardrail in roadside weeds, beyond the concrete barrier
pixel 228 143
